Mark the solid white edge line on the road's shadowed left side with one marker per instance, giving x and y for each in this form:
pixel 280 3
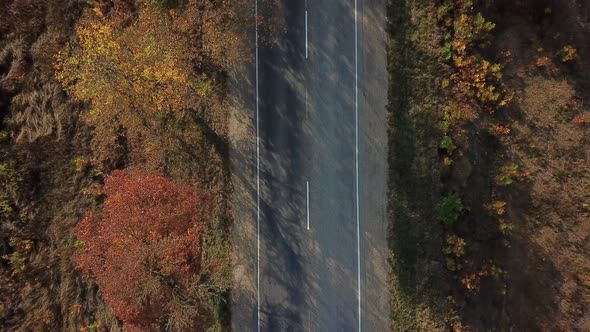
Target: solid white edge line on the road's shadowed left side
pixel 257 176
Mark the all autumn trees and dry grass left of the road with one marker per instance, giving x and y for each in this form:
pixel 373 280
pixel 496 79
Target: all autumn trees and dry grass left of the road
pixel 113 163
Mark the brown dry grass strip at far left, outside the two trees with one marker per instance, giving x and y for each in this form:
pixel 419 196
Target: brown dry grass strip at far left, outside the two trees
pixel 44 137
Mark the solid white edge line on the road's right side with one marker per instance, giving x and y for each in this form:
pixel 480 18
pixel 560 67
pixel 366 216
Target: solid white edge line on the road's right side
pixel 358 234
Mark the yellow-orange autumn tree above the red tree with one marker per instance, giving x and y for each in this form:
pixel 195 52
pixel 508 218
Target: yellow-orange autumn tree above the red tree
pixel 146 75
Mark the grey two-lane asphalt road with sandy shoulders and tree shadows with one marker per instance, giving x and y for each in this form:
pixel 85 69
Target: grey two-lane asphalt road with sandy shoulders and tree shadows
pixel 310 206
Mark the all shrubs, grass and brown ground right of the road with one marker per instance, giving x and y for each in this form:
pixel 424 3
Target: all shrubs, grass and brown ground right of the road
pixel 505 124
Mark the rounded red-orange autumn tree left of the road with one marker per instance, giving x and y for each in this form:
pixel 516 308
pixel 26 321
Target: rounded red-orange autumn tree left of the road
pixel 145 251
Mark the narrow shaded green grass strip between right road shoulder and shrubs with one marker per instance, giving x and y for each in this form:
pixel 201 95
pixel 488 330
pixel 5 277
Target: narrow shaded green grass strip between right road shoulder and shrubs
pixel 419 278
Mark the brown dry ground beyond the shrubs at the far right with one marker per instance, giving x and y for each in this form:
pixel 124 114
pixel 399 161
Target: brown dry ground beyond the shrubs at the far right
pixel 549 259
